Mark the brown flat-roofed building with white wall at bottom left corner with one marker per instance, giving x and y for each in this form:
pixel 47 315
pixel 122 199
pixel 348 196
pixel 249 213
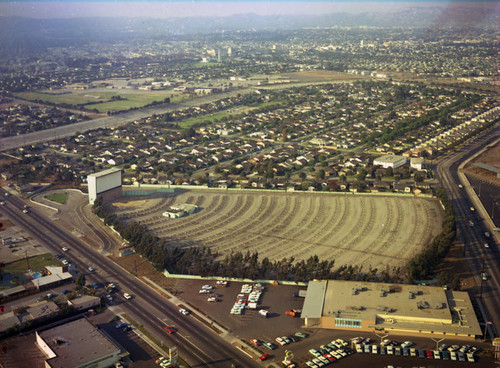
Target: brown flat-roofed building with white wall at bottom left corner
pixel 78 344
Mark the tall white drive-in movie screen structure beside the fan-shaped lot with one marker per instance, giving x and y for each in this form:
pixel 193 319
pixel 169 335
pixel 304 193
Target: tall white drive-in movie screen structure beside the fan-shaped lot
pixel 106 184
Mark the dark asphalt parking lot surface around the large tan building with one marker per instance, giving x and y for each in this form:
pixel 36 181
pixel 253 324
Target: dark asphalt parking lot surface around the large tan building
pixel 279 298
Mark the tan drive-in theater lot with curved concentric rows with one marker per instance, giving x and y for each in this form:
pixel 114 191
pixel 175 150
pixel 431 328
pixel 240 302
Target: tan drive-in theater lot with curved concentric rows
pixel 372 231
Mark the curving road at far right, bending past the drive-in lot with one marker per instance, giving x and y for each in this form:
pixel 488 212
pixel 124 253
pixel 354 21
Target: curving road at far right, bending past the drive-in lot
pixel 480 258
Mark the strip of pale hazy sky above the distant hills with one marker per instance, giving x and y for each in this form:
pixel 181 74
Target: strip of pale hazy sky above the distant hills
pixel 166 8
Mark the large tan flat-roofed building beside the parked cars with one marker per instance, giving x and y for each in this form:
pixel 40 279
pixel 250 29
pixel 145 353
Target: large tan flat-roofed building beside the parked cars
pixel 390 309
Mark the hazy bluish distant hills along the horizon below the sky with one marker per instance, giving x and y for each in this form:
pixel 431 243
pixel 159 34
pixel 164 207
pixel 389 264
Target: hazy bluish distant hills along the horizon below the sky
pixel 18 34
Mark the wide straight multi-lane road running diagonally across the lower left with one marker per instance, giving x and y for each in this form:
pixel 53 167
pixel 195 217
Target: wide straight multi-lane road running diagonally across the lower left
pixel 198 345
